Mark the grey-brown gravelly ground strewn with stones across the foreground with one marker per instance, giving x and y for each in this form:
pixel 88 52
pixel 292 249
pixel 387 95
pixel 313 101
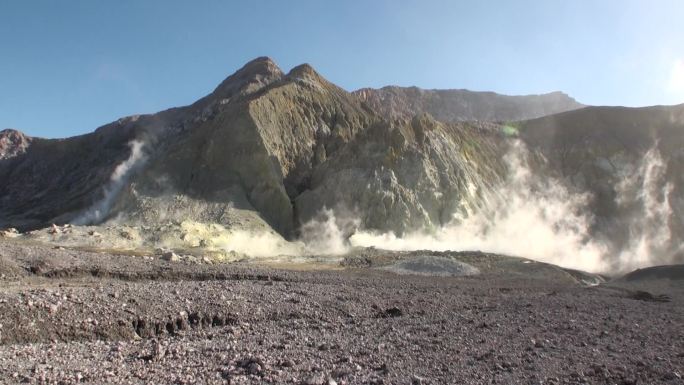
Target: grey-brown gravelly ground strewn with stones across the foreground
pixel 70 316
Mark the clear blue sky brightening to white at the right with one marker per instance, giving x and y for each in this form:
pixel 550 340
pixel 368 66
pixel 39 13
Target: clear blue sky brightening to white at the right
pixel 67 67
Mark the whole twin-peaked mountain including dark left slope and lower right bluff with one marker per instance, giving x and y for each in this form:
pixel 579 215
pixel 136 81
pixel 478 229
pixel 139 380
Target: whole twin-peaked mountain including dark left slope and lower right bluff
pixel 266 148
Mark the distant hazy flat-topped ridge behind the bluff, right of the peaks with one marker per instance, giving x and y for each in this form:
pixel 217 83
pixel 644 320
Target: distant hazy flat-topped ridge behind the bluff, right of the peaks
pixel 463 105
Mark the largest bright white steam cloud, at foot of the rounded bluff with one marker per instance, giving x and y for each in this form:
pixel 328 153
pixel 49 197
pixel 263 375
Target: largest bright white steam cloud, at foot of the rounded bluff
pixel 526 216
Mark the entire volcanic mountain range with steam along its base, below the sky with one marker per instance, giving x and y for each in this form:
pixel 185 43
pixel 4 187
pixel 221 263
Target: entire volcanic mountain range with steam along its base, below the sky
pixel 292 154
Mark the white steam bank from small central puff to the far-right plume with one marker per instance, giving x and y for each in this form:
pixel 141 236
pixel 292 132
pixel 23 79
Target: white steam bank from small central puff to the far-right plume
pixel 538 218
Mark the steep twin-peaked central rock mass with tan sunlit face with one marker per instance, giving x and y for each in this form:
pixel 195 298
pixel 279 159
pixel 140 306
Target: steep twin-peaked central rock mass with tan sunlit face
pixel 253 151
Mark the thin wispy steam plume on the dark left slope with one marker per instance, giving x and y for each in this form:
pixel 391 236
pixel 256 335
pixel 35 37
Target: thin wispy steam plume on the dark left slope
pixel 122 173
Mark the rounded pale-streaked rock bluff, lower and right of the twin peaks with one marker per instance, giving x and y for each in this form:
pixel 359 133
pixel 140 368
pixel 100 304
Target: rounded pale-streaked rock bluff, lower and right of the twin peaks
pixel 408 177
